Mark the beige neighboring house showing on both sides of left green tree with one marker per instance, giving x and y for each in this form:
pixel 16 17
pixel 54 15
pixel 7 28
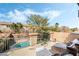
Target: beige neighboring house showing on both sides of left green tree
pixel 4 27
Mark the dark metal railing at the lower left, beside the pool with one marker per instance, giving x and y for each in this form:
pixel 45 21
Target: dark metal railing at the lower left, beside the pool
pixel 6 43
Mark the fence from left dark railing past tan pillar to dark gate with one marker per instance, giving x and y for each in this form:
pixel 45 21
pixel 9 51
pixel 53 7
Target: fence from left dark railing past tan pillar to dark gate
pixel 5 43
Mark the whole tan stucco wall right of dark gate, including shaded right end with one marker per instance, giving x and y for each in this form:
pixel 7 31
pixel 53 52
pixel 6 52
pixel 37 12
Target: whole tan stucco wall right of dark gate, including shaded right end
pixel 63 36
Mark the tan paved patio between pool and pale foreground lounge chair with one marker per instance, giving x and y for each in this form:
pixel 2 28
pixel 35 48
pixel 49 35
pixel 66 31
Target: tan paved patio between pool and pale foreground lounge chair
pixel 28 51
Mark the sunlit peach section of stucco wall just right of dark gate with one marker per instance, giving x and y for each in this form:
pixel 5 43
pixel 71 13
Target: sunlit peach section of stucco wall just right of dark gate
pixel 59 36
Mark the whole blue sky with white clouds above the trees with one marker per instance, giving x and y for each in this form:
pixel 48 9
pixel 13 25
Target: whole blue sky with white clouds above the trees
pixel 66 14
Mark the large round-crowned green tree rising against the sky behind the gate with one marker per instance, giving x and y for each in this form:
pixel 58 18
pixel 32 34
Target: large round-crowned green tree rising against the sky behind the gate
pixel 39 21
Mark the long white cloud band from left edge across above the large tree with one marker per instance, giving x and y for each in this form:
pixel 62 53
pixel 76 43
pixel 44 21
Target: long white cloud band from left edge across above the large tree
pixel 22 16
